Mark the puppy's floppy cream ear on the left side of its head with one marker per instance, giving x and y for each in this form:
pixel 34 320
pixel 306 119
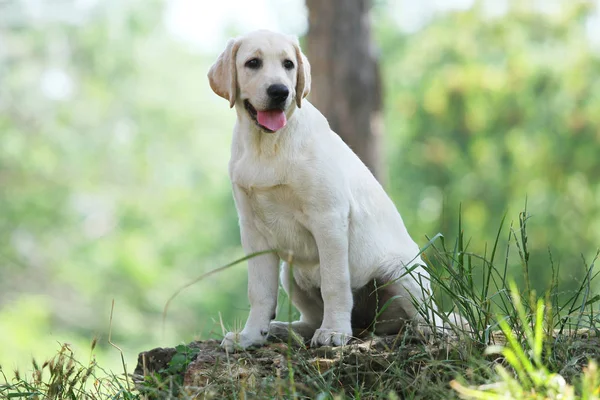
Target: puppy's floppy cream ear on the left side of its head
pixel 223 75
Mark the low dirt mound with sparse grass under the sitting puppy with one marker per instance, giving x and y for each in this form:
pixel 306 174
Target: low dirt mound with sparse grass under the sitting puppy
pixel 204 368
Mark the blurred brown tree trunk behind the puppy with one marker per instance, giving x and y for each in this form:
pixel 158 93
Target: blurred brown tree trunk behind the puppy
pixel 345 74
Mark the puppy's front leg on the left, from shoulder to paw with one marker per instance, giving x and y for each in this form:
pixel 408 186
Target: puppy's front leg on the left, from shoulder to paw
pixel 262 281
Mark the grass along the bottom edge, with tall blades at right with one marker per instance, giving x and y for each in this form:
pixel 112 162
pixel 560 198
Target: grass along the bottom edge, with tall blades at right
pixel 521 345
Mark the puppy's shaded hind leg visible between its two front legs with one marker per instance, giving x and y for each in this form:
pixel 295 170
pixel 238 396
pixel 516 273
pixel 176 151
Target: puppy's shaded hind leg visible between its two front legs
pixel 309 303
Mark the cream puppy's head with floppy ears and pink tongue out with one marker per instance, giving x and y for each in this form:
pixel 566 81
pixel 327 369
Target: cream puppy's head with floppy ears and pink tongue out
pixel 266 72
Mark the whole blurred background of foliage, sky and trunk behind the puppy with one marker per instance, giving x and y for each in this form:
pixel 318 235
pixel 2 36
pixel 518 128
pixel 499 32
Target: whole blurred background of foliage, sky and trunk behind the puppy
pixel 114 150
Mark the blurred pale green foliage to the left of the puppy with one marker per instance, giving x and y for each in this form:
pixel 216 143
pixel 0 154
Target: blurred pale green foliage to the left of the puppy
pixel 111 186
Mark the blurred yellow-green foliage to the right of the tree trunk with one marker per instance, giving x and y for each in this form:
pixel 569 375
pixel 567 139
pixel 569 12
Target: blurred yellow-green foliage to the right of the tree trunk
pixel 484 111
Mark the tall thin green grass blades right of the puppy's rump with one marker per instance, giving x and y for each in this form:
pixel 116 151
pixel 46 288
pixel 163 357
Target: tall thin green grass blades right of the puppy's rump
pixel 476 285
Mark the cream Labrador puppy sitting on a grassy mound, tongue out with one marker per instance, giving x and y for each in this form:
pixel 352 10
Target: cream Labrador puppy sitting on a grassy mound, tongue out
pixel 347 259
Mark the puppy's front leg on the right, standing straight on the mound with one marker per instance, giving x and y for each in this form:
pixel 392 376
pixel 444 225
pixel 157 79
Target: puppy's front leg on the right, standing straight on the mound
pixel 331 236
